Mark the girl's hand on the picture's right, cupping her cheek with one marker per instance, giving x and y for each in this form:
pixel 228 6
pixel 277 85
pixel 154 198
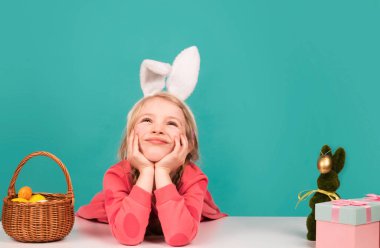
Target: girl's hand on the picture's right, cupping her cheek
pixel 176 158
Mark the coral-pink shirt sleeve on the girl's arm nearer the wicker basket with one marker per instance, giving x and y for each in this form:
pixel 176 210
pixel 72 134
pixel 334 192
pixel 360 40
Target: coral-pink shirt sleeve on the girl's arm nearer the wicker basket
pixel 127 212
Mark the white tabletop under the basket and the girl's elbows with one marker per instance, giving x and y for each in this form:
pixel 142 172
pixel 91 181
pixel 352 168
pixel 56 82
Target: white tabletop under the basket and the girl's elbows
pixel 236 232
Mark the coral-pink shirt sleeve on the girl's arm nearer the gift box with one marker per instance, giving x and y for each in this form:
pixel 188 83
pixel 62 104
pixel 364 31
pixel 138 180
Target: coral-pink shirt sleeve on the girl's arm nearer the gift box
pixel 180 214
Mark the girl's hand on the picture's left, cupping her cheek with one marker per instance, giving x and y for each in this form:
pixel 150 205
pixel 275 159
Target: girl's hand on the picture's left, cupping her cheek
pixel 135 157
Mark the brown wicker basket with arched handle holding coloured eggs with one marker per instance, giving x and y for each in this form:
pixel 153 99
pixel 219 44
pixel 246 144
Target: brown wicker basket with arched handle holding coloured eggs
pixel 41 221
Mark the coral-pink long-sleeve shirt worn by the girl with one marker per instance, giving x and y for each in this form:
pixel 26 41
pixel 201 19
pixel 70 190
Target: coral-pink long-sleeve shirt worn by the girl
pixel 133 212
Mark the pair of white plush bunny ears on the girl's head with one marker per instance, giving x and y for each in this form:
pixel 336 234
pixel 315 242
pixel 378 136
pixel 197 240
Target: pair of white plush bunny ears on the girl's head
pixel 180 78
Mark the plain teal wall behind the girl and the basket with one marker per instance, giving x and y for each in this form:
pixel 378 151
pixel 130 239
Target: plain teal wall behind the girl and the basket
pixel 278 80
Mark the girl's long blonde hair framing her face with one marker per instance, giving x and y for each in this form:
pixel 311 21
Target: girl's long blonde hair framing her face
pixel 190 128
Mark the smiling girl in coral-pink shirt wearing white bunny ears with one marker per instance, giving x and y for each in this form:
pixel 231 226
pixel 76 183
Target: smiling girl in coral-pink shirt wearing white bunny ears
pixel 156 188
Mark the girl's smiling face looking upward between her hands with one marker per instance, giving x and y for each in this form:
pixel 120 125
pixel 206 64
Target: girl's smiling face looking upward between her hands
pixel 158 123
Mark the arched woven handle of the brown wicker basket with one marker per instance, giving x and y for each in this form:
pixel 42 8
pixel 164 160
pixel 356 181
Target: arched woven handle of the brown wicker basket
pixel 11 189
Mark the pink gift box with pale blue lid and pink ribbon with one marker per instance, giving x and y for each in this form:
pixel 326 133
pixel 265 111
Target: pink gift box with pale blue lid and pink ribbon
pixel 348 224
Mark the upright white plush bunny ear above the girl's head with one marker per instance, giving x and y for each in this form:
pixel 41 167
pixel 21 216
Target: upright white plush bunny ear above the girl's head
pixel 184 73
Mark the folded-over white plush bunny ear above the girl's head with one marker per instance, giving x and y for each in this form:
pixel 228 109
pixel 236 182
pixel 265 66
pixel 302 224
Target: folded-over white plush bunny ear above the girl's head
pixel 152 76
